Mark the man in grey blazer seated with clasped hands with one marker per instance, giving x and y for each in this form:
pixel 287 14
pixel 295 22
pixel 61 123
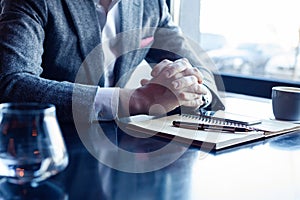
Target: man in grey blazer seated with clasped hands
pixel 59 51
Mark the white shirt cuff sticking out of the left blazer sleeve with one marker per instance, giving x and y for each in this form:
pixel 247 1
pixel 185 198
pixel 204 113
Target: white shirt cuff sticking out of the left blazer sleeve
pixel 106 103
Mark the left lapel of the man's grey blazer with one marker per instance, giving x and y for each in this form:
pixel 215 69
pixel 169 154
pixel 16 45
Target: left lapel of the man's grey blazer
pixel 86 24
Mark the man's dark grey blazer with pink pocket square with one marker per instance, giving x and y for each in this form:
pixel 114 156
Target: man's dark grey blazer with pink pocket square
pixel 50 50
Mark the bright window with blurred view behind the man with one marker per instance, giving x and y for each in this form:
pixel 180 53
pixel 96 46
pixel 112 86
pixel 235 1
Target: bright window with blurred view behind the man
pixel 255 44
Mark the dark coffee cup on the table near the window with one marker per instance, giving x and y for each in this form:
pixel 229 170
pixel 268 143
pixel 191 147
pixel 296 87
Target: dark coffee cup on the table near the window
pixel 286 103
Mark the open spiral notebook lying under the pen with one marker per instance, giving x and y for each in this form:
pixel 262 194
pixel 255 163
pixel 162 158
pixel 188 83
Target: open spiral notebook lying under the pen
pixel 212 139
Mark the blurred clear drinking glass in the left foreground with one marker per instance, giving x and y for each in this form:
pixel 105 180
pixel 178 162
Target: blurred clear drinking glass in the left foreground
pixel 31 144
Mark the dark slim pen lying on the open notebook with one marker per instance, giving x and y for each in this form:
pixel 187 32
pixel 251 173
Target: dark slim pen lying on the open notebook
pixel 196 126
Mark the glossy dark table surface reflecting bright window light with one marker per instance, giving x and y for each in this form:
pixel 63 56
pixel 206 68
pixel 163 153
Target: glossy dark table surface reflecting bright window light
pixel 125 167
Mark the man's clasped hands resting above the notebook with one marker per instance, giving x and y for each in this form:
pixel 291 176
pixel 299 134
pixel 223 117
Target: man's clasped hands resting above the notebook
pixel 173 84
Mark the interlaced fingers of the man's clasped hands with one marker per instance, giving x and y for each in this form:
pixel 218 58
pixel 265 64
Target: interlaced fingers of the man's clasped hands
pixel 180 79
